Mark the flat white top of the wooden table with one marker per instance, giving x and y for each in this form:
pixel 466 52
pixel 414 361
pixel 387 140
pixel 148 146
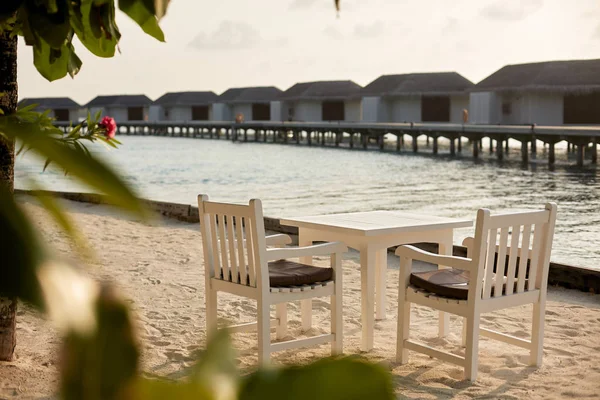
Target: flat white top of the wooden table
pixel 375 223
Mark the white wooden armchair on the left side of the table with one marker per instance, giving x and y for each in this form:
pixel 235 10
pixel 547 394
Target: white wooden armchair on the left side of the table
pixel 237 261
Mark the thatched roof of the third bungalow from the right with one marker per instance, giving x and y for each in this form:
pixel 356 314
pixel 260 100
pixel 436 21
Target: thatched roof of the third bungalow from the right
pixel 322 90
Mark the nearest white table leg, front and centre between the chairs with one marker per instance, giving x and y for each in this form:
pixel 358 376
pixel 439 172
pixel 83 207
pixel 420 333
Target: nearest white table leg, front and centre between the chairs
pixel 367 286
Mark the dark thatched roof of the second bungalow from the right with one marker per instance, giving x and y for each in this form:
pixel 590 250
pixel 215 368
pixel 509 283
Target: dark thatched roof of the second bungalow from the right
pixel 437 83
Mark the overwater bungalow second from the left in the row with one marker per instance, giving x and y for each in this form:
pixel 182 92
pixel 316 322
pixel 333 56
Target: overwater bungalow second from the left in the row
pixel 122 108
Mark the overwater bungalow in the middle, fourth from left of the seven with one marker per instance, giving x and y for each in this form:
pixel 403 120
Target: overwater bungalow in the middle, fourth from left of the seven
pixel 253 103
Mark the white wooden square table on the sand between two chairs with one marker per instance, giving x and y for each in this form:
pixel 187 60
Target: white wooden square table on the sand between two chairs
pixel 371 233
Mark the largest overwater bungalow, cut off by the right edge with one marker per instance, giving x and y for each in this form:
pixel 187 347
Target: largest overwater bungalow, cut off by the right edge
pixel 543 93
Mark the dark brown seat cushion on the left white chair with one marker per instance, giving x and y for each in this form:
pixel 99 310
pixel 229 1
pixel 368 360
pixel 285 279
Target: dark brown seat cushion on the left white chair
pixel 284 273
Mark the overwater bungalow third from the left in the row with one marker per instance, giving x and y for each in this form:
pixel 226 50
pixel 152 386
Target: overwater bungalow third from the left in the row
pixel 184 106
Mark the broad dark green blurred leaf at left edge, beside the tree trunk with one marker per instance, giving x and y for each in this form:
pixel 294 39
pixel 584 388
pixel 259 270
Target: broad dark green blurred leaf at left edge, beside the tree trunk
pixel 21 250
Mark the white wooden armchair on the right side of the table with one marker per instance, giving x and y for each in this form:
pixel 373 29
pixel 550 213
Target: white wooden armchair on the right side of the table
pixel 487 288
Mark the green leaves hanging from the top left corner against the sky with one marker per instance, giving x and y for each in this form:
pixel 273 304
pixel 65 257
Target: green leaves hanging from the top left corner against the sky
pixel 49 26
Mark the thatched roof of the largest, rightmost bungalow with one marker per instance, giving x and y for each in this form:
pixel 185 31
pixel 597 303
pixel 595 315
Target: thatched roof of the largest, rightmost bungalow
pixel 556 76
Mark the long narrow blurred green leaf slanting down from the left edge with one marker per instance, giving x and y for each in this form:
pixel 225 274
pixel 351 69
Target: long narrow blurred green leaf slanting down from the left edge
pixel 88 170
